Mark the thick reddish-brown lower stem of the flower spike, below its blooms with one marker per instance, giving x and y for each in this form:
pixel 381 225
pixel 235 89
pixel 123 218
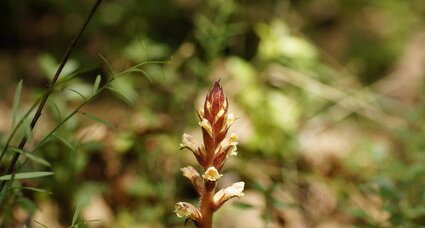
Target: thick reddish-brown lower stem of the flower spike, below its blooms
pixel 207 206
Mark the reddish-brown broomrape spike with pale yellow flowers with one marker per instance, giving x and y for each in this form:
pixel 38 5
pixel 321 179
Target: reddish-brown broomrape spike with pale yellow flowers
pixel 217 146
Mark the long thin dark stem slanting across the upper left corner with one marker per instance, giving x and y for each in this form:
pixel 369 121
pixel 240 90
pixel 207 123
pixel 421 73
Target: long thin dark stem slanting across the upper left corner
pixel 40 108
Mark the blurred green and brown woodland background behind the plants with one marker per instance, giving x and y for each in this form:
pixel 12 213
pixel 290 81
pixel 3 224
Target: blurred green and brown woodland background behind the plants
pixel 329 96
